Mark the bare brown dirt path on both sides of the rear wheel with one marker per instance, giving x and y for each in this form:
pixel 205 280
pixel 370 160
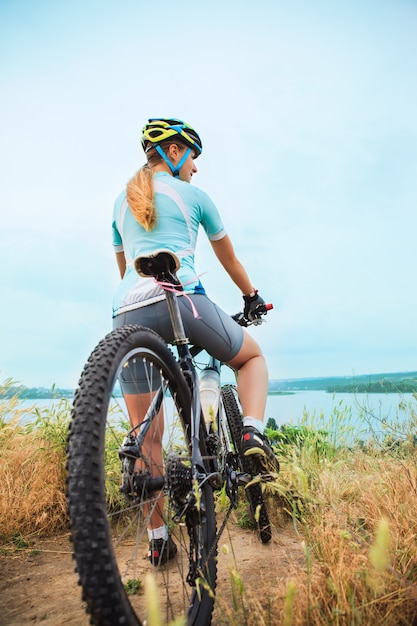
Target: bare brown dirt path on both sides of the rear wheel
pixel 38 585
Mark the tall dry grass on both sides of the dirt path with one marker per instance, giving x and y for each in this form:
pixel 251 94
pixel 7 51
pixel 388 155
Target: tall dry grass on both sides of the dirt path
pixel 352 500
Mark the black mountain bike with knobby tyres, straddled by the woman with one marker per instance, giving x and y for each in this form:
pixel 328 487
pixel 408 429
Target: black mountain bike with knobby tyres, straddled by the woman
pixel 115 483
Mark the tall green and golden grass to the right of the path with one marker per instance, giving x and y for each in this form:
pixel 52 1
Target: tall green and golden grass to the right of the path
pixel 355 506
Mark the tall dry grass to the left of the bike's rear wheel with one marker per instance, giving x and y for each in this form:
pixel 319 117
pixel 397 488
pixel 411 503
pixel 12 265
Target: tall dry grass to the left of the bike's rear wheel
pixel 32 468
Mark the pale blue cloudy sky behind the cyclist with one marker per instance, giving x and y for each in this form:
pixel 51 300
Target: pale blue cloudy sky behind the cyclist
pixel 307 113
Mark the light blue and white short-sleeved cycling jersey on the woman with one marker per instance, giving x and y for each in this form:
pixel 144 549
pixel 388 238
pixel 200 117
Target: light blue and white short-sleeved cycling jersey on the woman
pixel 181 208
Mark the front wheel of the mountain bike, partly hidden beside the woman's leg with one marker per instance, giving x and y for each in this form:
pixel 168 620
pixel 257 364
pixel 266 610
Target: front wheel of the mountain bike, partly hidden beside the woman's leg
pixel 253 492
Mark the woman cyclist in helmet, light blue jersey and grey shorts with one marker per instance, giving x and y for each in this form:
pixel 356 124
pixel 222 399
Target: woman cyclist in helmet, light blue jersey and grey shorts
pixel 159 209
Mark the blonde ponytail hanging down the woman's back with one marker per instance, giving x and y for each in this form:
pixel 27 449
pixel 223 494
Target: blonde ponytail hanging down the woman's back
pixel 140 198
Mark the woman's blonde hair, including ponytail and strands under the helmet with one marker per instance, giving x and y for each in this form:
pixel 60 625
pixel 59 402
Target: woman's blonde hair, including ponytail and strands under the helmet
pixel 140 191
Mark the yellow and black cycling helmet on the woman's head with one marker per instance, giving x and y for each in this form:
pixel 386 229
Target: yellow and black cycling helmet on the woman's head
pixel 159 129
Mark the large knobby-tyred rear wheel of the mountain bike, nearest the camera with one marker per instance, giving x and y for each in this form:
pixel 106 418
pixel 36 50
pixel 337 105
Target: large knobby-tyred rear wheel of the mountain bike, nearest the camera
pixel 114 497
